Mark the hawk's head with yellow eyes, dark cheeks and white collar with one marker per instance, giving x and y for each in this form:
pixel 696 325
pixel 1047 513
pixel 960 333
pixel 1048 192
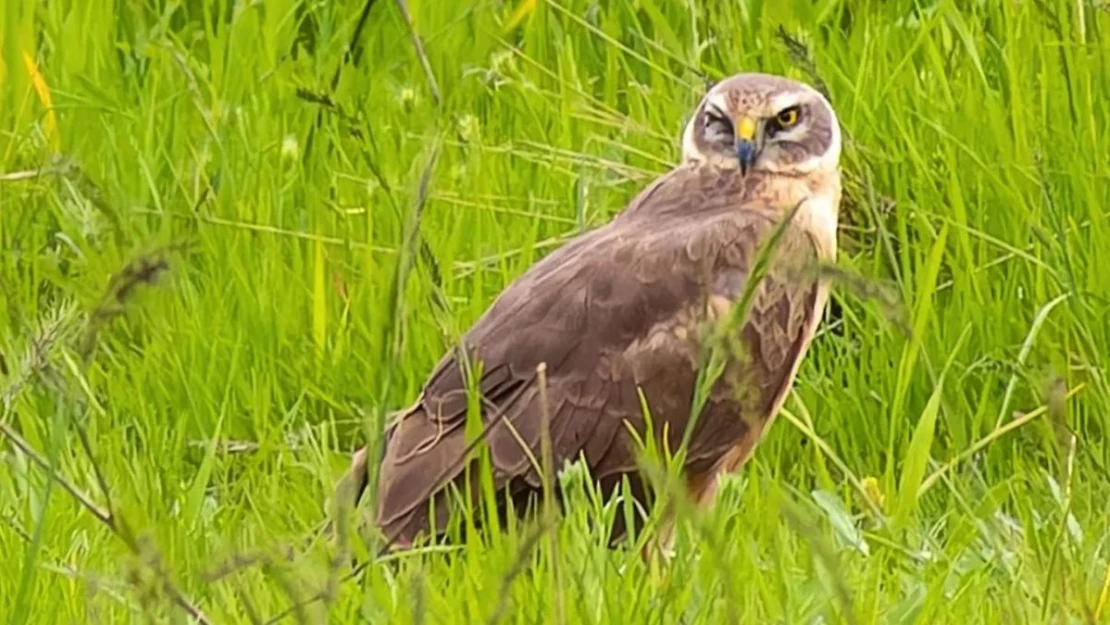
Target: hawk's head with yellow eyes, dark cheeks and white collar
pixel 764 124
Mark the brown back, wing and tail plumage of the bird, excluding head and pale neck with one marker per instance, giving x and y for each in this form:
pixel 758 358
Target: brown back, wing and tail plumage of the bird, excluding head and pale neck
pixel 615 310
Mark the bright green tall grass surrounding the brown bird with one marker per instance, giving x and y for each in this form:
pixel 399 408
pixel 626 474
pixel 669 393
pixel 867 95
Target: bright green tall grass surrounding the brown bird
pixel 233 241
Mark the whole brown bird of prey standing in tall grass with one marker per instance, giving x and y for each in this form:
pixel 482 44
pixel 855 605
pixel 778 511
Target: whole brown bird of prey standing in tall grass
pixel 618 319
